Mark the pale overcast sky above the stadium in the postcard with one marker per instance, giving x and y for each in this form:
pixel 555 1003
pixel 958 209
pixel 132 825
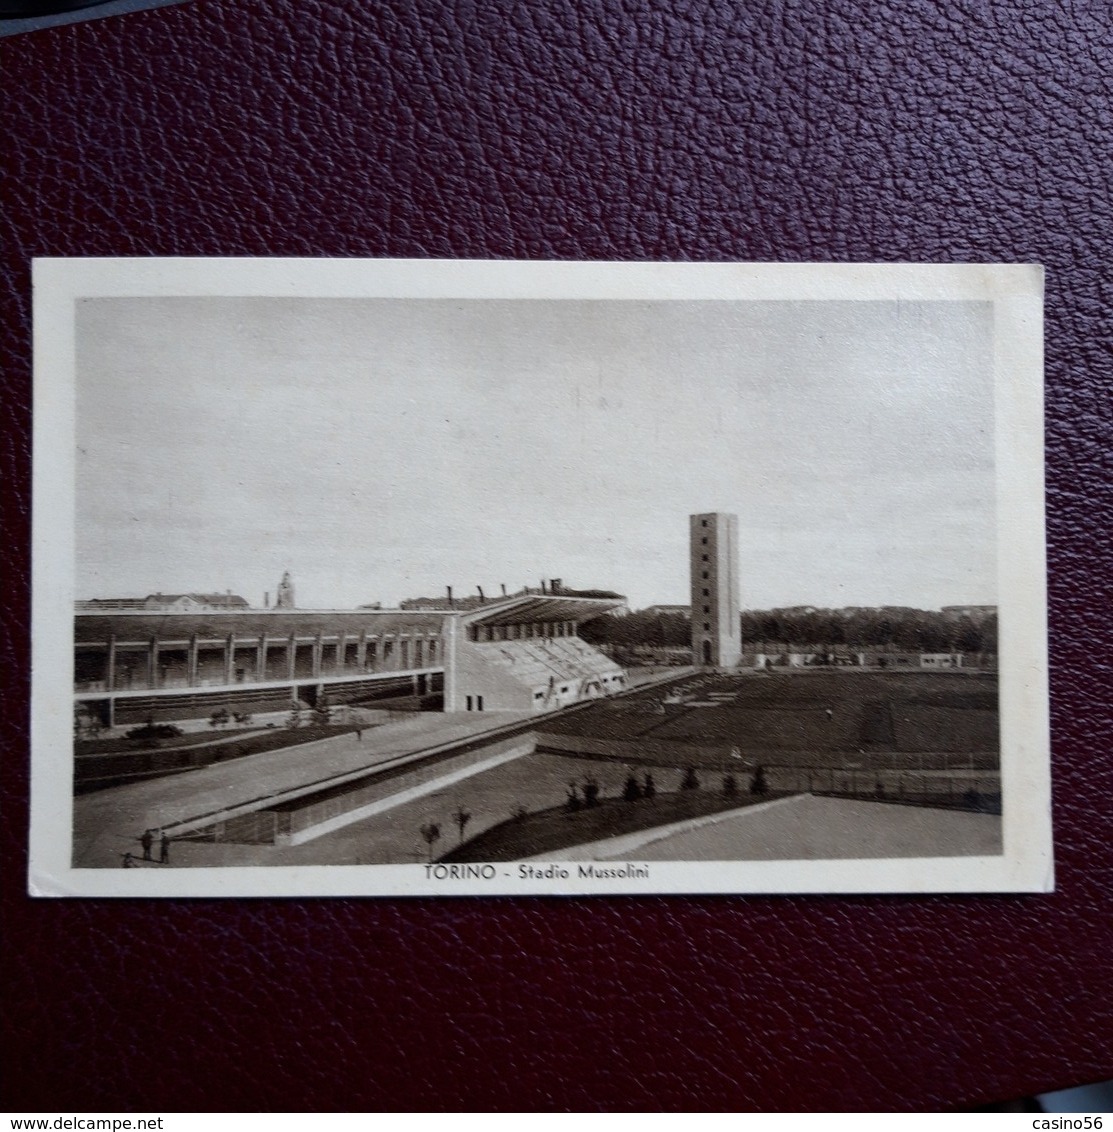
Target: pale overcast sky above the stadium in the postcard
pixel 386 449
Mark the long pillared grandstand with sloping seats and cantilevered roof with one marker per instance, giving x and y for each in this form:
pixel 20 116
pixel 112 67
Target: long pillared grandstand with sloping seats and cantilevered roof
pixel 178 663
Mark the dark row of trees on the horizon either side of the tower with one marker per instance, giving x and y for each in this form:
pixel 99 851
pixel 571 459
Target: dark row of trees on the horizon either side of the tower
pixel 906 630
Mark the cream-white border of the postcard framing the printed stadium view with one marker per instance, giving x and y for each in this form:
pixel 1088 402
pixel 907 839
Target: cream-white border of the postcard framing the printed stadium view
pixel 1017 295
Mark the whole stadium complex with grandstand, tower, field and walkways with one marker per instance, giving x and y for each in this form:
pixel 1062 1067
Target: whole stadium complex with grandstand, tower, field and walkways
pixel 498 716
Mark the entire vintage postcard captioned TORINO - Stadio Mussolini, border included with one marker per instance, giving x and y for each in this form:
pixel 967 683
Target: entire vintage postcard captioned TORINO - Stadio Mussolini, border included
pixel 457 578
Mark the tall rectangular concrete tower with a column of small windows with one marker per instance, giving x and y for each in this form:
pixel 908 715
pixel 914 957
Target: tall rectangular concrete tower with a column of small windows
pixel 716 629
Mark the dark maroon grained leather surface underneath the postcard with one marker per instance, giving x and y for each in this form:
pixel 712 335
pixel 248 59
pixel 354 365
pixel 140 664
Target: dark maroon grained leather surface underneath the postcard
pixel 825 130
